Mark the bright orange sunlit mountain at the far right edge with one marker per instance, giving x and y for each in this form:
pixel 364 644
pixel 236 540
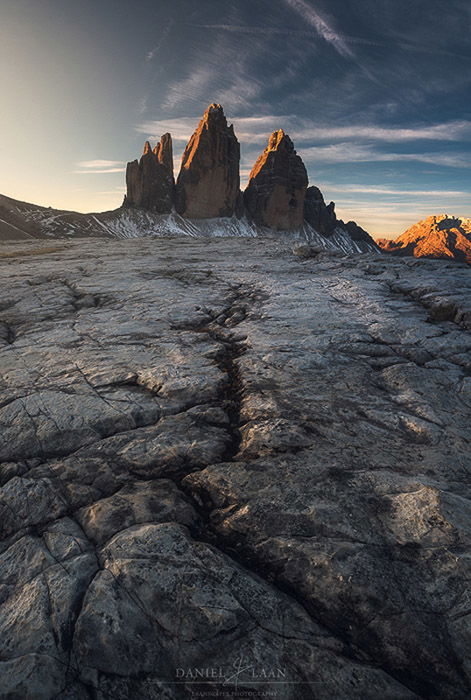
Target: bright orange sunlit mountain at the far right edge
pixel 441 236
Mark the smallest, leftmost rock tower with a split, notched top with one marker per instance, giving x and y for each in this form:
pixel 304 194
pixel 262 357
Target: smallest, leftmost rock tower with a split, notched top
pixel 150 182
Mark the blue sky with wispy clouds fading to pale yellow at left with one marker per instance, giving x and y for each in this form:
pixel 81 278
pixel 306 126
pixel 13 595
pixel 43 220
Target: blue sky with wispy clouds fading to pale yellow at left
pixel 375 94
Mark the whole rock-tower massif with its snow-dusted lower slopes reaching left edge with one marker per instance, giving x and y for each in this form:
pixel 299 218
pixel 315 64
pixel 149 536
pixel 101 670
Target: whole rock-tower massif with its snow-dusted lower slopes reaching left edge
pixel 205 199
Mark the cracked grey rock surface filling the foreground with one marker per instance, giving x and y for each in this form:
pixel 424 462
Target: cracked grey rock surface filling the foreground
pixel 224 468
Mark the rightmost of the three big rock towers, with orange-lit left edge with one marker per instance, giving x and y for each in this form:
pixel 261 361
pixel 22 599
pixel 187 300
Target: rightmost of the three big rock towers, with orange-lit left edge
pixel 277 186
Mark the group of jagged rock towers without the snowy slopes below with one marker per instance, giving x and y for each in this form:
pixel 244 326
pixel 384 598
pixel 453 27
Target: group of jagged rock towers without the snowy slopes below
pixel 208 184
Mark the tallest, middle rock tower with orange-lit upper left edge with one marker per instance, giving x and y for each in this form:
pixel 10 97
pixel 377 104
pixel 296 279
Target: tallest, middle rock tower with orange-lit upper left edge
pixel 208 182
